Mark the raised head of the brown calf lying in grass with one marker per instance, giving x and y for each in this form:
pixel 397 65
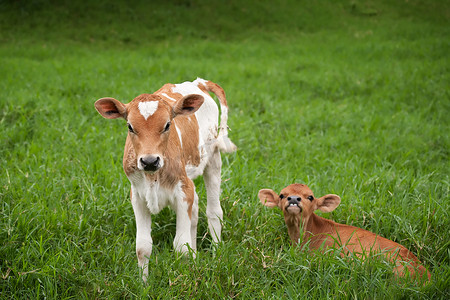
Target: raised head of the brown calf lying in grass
pixel 297 202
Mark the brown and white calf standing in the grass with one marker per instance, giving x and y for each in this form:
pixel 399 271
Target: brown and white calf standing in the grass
pixel 173 137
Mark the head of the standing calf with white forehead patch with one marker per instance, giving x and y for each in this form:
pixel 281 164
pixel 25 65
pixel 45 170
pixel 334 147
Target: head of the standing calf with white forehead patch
pixel 149 119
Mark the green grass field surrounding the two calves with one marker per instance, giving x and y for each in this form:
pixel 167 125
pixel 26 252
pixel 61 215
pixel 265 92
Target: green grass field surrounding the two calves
pixel 349 97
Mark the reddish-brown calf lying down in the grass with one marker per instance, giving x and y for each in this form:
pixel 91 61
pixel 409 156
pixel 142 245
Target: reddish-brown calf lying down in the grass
pixel 298 204
